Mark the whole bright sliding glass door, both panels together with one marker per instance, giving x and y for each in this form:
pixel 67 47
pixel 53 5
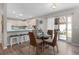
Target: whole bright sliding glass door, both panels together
pixel 65 28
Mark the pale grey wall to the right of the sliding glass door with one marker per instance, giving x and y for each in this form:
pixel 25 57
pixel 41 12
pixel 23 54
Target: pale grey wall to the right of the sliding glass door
pixel 75 27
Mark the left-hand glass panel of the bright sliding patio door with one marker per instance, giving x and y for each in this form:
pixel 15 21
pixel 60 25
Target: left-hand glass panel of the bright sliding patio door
pixel 62 28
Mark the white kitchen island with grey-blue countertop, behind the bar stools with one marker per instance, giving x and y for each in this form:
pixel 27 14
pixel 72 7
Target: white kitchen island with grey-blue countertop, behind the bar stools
pixel 17 34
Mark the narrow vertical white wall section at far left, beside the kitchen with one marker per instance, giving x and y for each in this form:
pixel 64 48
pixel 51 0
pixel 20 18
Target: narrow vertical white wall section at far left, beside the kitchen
pixel 4 26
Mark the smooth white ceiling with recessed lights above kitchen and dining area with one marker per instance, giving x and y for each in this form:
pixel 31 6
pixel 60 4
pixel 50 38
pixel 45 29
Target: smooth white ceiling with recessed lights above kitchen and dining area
pixel 29 10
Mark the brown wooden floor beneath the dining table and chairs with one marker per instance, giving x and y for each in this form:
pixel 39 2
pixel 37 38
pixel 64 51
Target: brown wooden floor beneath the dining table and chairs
pixel 23 49
